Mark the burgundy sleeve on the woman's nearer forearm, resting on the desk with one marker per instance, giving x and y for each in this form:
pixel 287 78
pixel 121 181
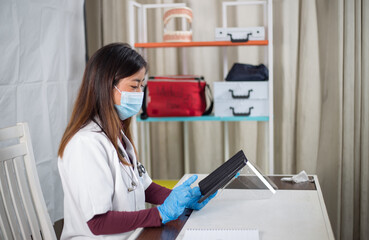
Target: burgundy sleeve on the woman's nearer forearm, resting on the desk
pixel 114 222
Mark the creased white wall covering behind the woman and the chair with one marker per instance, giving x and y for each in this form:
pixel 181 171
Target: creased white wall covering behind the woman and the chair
pixel 42 58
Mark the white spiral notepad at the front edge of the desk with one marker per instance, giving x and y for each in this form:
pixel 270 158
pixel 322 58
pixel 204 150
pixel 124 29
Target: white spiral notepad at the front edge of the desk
pixel 221 234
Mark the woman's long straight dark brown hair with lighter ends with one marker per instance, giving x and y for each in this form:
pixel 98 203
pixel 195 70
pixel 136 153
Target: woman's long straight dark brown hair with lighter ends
pixel 95 99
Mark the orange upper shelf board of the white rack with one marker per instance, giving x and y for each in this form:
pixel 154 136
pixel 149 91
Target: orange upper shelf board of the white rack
pixel 199 44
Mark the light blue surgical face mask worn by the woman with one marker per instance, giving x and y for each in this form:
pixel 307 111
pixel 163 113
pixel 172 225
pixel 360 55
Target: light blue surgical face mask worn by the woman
pixel 130 104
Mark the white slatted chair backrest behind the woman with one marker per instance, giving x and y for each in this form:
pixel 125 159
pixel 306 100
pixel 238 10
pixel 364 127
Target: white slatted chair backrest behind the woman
pixel 23 212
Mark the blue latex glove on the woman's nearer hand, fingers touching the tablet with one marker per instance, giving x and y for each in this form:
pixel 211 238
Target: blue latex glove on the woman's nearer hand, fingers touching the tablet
pixel 177 201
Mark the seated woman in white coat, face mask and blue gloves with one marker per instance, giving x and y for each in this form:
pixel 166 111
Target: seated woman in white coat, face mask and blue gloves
pixel 105 187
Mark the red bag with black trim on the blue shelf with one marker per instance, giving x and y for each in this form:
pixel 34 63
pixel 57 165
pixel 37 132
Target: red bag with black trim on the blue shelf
pixel 175 96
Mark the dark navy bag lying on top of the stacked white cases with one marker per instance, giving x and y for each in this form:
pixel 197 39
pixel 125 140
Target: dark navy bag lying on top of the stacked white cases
pixel 247 72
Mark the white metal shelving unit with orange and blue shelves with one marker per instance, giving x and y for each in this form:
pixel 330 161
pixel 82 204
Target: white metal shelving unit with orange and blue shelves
pixel 143 44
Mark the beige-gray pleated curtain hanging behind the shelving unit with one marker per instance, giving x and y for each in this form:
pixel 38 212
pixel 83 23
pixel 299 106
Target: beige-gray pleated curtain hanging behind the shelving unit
pixel 320 87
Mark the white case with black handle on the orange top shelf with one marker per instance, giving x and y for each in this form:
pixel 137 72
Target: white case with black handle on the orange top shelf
pixel 250 33
